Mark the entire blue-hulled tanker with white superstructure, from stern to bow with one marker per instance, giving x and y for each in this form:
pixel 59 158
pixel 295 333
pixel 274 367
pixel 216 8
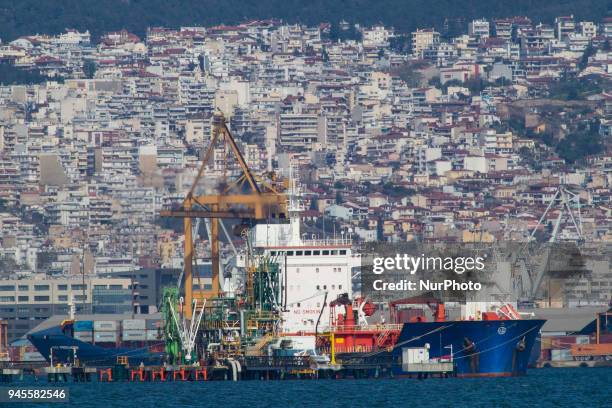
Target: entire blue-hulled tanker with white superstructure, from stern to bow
pixel 312 304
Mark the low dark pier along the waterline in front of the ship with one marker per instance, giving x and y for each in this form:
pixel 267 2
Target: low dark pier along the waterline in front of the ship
pixel 238 369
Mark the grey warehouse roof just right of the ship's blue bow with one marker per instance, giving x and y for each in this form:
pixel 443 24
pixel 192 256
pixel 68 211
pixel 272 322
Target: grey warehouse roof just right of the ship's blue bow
pixel 568 319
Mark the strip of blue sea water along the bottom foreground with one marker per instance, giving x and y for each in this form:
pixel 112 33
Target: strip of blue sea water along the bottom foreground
pixel 548 387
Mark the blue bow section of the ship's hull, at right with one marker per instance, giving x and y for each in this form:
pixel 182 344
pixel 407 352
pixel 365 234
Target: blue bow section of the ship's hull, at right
pixel 484 348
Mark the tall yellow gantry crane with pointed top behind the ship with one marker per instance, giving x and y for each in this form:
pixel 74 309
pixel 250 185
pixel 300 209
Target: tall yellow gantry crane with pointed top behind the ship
pixel 244 197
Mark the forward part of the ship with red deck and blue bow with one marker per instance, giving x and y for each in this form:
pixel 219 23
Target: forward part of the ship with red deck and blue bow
pixel 485 340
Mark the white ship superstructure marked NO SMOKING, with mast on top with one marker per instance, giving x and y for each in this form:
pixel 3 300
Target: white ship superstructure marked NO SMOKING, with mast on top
pixel 314 271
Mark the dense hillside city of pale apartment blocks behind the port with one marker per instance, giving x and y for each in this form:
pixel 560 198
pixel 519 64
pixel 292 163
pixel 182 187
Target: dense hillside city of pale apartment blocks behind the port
pixel 397 136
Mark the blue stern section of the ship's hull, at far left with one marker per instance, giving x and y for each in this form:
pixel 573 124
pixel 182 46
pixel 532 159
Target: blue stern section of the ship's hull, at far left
pixel 53 342
